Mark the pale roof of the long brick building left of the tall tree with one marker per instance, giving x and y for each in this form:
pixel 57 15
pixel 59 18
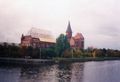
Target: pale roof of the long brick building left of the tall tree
pixel 43 35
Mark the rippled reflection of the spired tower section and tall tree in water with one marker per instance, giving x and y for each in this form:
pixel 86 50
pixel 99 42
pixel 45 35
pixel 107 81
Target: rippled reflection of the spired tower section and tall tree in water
pixel 70 72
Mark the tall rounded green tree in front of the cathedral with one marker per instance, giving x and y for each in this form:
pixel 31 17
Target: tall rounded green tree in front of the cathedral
pixel 61 44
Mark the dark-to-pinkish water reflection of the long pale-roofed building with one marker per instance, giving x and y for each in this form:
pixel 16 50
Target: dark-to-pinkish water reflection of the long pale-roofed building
pixel 38 74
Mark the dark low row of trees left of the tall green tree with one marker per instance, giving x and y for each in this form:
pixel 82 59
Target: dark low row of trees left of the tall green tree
pixel 14 51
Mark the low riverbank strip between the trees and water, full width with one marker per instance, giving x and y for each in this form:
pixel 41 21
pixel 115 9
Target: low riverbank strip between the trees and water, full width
pixel 23 61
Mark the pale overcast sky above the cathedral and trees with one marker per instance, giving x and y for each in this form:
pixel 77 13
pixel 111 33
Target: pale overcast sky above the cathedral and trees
pixel 97 20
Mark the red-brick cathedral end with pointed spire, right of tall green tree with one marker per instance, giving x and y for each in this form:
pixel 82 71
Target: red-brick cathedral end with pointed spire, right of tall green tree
pixel 76 41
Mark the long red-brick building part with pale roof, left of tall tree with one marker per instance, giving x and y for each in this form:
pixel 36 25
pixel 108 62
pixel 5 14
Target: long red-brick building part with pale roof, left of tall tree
pixel 37 38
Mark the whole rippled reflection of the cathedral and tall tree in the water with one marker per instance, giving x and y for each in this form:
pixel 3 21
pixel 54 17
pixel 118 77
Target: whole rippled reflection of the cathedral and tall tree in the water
pixel 64 72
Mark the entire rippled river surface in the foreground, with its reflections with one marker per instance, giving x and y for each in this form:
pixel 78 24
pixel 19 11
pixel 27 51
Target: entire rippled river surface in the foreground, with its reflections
pixel 105 71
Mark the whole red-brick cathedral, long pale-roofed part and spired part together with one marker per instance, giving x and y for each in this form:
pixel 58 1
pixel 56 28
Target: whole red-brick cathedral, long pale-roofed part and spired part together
pixel 43 38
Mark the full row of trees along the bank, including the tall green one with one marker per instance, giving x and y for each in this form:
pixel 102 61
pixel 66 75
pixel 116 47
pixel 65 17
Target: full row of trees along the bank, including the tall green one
pixel 60 49
